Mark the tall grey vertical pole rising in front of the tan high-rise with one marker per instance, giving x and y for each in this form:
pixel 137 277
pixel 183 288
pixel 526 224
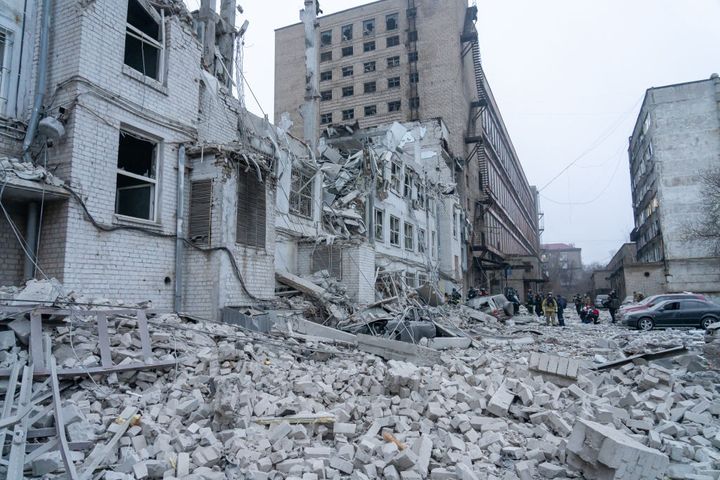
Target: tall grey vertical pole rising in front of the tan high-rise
pixel 310 109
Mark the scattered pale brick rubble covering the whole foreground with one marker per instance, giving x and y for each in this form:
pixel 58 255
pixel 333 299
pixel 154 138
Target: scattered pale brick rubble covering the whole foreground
pixel 191 399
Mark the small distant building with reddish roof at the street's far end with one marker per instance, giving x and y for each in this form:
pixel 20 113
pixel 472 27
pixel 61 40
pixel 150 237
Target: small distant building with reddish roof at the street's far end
pixel 562 265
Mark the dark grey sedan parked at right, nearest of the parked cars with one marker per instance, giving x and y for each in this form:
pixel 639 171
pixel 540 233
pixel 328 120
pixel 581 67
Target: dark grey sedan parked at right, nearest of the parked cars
pixel 675 313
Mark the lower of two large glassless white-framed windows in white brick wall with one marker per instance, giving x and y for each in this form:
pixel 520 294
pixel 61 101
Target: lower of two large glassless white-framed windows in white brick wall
pixel 136 189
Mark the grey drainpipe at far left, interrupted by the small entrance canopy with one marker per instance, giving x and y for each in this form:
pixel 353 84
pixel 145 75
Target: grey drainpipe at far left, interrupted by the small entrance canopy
pixel 33 211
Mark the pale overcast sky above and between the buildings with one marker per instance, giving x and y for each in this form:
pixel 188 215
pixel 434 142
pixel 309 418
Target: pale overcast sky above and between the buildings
pixel 569 77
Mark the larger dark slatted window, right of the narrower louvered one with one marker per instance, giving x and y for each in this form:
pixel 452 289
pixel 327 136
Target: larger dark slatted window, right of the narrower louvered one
pixel 251 211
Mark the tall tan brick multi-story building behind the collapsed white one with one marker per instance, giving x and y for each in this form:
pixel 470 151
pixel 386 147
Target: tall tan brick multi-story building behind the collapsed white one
pixel 409 60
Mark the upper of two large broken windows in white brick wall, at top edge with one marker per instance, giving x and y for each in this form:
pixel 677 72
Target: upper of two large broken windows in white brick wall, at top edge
pixel 144 42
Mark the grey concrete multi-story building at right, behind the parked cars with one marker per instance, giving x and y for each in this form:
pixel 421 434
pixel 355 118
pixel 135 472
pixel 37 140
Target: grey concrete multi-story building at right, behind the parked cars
pixel 674 145
